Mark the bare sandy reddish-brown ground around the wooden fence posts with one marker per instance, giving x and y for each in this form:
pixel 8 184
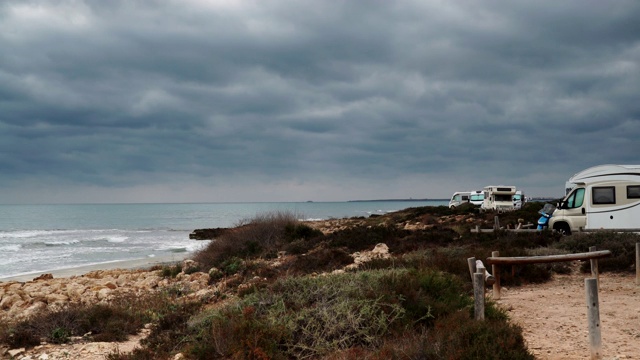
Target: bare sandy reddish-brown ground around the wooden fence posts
pixel 554 316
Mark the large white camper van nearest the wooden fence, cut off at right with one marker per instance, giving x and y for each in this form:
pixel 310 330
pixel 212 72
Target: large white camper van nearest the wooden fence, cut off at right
pixel 600 197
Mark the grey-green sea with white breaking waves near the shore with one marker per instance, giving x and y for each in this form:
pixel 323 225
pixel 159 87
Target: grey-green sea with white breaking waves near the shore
pixel 40 238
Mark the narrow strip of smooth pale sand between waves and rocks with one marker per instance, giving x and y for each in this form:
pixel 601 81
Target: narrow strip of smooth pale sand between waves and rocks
pixel 84 269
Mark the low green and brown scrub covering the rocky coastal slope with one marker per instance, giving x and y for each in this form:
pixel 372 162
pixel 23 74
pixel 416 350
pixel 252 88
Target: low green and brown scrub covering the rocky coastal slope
pixel 415 304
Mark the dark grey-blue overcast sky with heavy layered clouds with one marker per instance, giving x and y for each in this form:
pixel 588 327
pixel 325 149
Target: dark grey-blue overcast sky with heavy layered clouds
pixel 282 100
